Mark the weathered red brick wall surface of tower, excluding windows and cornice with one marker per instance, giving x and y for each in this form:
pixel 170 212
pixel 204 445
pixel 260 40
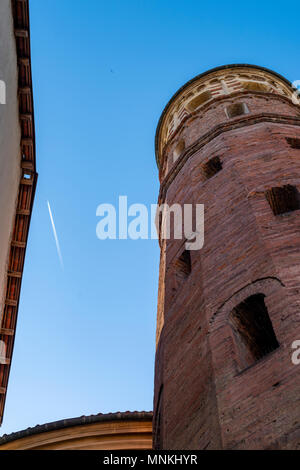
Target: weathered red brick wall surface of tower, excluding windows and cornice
pixel 206 400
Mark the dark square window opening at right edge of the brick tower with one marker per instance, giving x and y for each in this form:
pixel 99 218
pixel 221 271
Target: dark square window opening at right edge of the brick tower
pixel 283 199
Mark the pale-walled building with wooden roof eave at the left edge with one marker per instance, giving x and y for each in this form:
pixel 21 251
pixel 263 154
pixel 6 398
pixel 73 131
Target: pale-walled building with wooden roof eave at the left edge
pixel 17 170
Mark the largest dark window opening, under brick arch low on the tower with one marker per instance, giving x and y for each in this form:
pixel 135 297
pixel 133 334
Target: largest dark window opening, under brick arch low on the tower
pixel 253 330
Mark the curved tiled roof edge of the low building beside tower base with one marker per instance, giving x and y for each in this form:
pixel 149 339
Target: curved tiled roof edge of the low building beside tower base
pixel 80 421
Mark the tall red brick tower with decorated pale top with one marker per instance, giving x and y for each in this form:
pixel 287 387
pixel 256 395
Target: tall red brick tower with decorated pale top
pixel 228 314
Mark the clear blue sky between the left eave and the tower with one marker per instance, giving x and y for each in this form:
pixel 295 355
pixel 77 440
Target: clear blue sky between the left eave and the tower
pixel 103 71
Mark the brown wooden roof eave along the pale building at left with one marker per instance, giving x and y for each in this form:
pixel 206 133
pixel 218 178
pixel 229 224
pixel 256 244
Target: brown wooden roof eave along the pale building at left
pixel 20 11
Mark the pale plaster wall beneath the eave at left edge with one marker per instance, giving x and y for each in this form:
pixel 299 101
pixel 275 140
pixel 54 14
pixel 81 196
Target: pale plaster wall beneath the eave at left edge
pixel 9 140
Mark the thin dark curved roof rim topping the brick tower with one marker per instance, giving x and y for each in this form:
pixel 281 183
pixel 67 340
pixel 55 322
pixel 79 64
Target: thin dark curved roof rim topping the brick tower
pixel 201 75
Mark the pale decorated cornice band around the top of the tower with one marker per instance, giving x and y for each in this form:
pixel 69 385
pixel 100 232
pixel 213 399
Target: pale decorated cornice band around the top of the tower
pixel 219 82
